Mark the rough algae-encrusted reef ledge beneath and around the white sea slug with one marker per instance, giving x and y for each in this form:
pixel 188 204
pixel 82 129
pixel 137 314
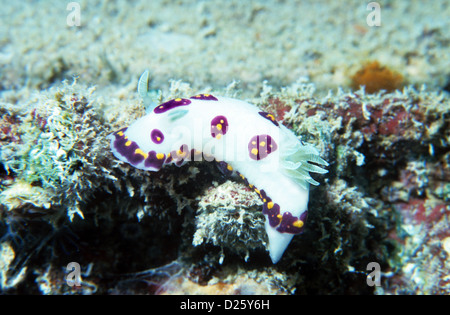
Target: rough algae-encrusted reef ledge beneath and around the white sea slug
pixel 64 198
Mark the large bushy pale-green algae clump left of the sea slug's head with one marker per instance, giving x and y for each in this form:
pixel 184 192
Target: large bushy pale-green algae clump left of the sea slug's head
pixel 56 144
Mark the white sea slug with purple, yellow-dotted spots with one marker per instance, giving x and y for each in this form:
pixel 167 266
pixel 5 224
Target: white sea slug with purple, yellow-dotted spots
pixel 244 140
